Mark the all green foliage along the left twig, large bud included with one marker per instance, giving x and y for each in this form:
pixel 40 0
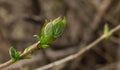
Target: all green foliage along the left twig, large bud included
pixel 50 31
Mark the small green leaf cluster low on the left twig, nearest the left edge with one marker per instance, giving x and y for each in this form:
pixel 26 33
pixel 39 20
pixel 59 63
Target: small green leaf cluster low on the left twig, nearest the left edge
pixel 15 55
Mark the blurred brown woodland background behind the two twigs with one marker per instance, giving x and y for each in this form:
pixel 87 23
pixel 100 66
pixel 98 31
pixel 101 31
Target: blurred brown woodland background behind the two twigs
pixel 21 19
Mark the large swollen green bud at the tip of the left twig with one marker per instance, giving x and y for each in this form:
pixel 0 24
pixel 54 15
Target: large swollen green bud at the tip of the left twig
pixel 51 30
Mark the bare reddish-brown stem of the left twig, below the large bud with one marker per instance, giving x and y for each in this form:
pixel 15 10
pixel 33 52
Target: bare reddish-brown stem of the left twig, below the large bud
pixel 34 48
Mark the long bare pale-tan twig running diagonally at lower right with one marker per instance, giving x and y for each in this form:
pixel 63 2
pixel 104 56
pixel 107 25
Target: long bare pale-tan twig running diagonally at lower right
pixel 82 51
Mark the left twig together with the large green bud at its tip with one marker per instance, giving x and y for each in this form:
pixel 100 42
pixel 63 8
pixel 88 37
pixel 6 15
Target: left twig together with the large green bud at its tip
pixel 50 31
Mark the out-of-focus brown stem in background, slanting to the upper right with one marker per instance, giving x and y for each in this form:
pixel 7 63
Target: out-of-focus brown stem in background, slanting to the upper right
pixel 95 23
